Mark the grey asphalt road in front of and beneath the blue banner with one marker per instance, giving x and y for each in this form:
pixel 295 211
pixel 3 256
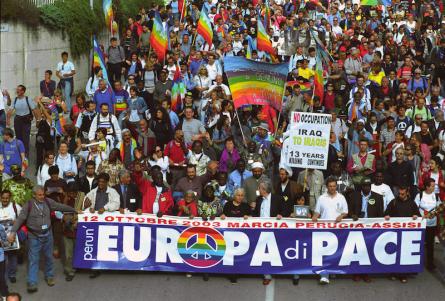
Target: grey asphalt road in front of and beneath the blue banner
pixel 135 286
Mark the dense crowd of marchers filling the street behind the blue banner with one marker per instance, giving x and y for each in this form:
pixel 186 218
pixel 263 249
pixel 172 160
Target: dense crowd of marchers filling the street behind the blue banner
pixel 124 145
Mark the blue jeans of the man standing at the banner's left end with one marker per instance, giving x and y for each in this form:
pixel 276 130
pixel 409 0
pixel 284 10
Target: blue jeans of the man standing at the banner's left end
pixel 35 246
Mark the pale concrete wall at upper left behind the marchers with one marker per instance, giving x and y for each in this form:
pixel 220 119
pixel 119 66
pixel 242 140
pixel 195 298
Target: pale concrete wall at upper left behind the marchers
pixel 26 53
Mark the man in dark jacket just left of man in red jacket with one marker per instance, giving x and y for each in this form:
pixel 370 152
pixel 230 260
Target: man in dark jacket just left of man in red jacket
pixel 130 196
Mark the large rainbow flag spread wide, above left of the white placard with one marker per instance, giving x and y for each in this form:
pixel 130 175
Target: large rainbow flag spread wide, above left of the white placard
pixel 255 83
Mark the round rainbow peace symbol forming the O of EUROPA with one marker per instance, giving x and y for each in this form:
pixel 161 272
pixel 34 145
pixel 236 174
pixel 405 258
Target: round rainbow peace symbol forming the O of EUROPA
pixel 201 247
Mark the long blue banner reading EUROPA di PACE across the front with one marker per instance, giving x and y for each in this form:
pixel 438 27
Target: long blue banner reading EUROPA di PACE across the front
pixel 255 246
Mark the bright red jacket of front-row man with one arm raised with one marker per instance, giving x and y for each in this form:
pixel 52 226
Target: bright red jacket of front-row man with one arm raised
pixel 149 192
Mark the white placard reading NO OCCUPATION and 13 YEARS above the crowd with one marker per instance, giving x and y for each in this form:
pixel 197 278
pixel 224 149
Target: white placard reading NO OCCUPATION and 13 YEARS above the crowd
pixel 307 144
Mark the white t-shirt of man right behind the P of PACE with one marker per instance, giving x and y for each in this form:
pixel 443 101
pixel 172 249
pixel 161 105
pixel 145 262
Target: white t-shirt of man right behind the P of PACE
pixel 330 207
